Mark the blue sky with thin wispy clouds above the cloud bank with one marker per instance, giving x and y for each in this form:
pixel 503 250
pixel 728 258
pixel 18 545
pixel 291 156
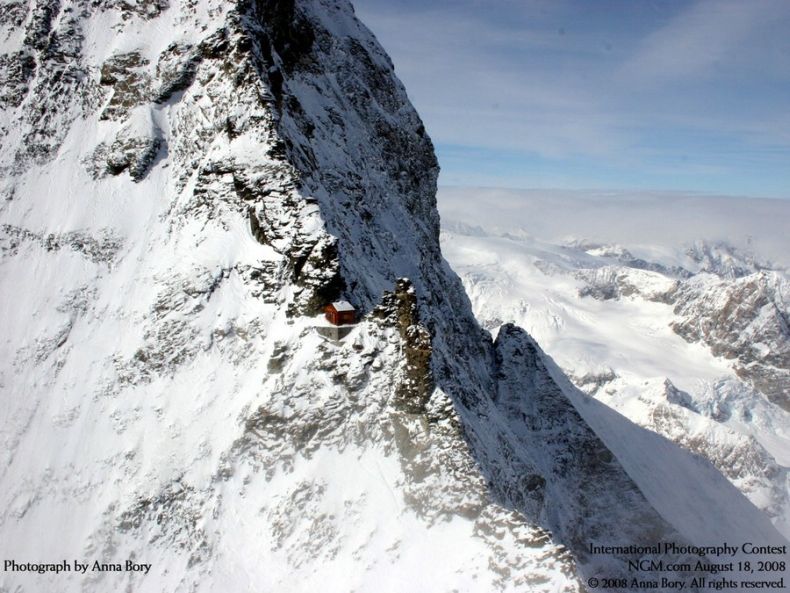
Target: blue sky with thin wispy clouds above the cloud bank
pixel 578 94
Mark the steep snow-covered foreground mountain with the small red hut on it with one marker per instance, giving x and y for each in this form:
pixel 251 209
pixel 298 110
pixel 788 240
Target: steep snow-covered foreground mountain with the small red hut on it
pixel 185 185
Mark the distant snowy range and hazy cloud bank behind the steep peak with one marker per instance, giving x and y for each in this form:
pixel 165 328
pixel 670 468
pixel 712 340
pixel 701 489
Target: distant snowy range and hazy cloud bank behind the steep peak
pixel 678 322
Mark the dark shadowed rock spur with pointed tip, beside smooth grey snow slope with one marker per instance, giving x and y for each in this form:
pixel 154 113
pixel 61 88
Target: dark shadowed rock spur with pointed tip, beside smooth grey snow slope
pixel 573 462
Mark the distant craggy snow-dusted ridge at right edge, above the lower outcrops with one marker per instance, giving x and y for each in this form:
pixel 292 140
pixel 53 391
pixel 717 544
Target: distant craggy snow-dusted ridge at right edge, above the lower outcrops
pixel 732 303
